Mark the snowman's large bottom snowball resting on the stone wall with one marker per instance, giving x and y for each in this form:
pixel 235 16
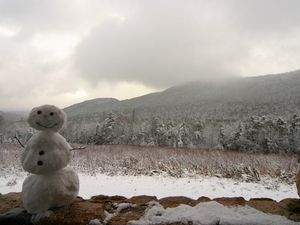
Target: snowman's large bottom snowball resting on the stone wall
pixel 42 192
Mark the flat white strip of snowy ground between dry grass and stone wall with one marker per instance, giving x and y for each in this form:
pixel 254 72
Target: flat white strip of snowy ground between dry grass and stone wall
pixel 163 186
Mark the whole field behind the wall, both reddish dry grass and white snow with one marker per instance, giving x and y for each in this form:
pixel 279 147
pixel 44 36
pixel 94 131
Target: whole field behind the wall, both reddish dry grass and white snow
pixel 129 171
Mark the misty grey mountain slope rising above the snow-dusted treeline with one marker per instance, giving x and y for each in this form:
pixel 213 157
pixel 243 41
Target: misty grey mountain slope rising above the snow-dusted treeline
pixel 277 94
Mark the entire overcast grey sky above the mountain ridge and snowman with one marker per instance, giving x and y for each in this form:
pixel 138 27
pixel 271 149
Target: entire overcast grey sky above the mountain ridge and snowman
pixel 63 52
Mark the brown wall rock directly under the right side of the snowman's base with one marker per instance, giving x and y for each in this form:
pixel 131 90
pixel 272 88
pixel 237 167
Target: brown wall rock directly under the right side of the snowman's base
pixel 80 212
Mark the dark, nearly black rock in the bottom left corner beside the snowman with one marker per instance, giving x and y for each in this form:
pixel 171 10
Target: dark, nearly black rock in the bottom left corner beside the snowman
pixel 16 216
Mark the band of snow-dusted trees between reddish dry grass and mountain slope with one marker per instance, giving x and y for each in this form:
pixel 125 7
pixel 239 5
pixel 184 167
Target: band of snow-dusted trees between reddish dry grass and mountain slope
pixel 255 134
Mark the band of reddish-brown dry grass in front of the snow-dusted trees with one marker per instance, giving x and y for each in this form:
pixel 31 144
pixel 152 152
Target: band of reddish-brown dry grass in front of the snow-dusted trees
pixel 134 160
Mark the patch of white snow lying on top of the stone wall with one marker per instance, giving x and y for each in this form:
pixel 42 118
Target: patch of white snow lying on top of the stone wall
pixel 209 213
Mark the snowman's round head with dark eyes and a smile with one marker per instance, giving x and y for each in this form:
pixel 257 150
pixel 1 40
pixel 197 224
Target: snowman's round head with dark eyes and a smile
pixel 47 117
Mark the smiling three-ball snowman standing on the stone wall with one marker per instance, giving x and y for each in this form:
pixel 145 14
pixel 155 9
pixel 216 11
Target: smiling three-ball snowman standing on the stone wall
pixel 46 155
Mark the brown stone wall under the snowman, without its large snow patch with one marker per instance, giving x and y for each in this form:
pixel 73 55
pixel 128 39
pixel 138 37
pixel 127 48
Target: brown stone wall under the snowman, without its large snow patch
pixel 118 210
